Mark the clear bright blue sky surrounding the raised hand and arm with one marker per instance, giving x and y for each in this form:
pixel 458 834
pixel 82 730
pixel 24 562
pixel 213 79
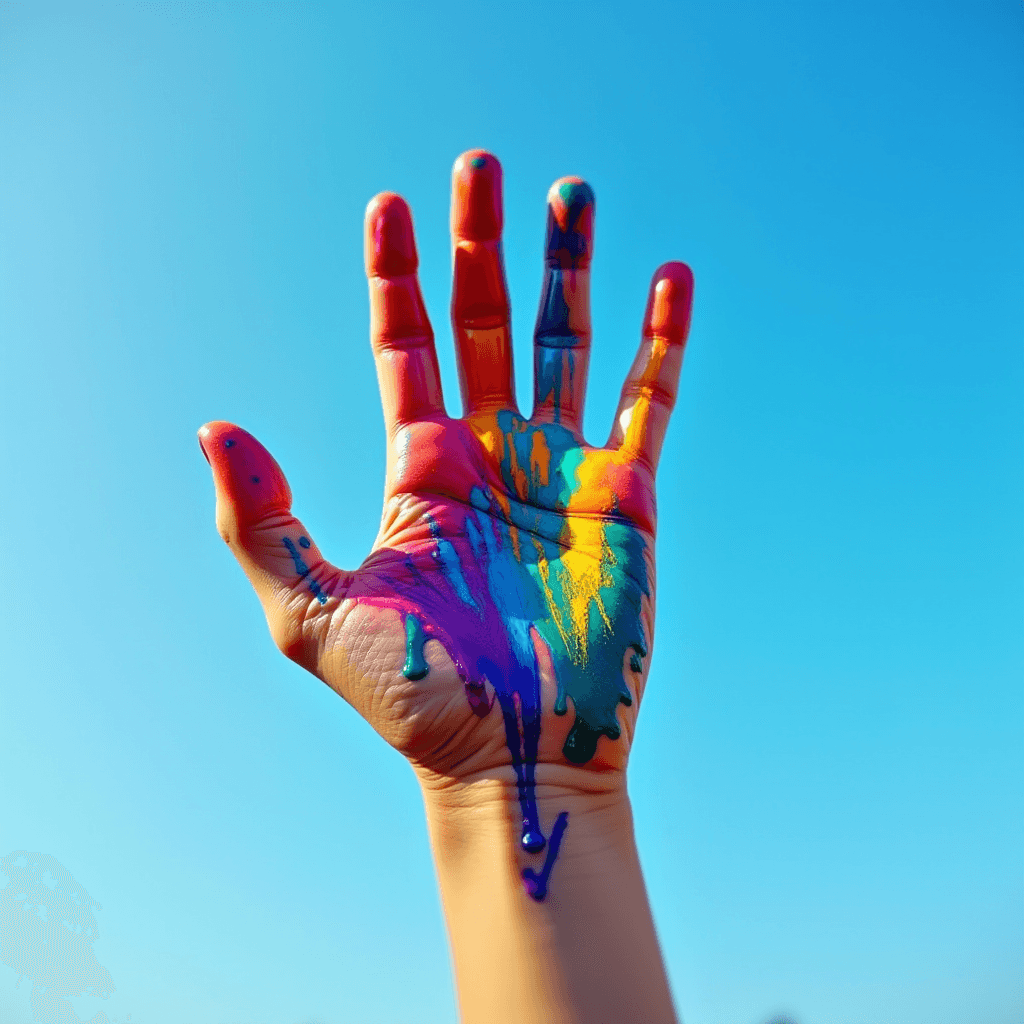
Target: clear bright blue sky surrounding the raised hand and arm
pixel 828 780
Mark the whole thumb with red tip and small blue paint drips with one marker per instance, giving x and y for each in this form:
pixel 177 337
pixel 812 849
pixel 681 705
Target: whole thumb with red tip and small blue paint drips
pixel 275 550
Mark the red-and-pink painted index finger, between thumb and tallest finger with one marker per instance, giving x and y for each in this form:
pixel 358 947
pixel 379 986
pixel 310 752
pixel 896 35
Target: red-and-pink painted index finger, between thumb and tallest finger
pixel 400 331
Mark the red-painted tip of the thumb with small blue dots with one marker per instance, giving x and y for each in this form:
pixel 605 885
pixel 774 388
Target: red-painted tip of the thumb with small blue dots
pixel 244 472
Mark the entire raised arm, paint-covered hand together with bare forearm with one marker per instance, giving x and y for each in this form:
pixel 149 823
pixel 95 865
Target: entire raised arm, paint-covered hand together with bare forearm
pixel 498 635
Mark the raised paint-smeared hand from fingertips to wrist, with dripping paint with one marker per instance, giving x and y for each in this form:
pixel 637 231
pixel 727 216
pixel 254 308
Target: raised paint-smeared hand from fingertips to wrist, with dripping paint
pixel 500 630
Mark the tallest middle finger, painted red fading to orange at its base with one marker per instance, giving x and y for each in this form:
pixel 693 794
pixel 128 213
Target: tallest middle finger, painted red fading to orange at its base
pixel 480 296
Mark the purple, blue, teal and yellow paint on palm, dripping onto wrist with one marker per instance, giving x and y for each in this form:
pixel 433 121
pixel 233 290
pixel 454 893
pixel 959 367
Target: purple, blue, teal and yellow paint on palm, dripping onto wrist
pixel 511 572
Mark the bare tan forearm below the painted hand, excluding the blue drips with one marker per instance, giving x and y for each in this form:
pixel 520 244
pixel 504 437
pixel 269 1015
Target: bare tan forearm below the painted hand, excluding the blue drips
pixel 587 953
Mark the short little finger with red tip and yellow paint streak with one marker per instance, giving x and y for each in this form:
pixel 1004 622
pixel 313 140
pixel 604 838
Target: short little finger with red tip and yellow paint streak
pixel 650 392
